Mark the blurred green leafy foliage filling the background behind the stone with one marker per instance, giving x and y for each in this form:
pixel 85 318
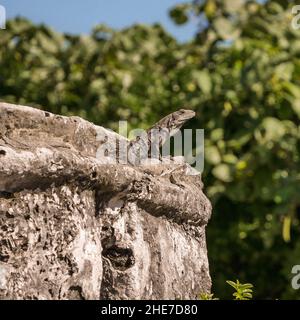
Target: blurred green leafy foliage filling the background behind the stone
pixel 241 74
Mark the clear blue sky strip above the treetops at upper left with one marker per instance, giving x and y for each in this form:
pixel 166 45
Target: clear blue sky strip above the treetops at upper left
pixel 80 16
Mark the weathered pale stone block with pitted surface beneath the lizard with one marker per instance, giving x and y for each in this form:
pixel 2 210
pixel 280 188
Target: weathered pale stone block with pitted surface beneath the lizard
pixel 73 226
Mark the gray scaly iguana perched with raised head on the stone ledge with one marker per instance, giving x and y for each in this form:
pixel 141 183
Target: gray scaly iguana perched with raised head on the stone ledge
pixel 140 148
